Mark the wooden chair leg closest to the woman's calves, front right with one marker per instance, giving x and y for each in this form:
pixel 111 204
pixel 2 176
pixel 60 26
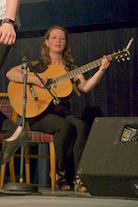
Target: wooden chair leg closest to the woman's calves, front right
pixel 53 166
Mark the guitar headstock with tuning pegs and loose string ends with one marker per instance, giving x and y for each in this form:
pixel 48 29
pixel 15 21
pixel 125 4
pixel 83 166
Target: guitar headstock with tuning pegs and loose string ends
pixel 124 54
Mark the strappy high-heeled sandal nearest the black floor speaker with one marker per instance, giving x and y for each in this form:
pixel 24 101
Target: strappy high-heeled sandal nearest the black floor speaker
pixel 78 185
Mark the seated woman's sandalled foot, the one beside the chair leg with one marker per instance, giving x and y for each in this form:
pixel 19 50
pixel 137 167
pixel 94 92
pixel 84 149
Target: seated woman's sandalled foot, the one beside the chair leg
pixel 61 182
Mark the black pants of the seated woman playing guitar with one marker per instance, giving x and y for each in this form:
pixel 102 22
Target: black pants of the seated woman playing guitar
pixel 70 135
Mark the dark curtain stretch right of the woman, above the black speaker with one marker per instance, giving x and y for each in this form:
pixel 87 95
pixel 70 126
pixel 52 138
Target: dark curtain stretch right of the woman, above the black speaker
pixel 116 93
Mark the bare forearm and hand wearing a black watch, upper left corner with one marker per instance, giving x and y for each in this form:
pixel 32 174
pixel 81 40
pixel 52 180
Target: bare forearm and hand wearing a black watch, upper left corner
pixel 7 32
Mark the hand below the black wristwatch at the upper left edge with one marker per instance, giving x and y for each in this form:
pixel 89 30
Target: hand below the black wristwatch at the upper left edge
pixel 7 34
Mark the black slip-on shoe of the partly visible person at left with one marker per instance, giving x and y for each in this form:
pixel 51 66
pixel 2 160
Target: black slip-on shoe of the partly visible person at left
pixel 10 147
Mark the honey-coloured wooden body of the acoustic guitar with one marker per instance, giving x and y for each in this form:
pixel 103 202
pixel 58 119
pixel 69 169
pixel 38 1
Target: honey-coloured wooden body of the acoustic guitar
pixel 36 107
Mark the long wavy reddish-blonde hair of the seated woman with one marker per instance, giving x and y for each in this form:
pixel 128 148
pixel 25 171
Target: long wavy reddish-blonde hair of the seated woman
pixel 67 58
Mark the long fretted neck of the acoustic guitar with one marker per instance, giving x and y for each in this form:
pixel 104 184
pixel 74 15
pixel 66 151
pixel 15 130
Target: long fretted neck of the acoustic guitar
pixel 82 69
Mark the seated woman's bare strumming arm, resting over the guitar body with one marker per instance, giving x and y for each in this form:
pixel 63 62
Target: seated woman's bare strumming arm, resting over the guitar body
pixel 16 75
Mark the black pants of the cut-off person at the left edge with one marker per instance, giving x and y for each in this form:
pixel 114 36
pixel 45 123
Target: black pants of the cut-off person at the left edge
pixel 7 127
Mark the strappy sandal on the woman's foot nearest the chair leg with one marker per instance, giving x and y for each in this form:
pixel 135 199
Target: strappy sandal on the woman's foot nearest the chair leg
pixel 61 183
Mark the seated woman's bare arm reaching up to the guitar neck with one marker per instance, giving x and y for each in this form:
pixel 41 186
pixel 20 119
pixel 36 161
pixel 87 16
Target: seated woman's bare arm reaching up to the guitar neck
pixel 87 85
